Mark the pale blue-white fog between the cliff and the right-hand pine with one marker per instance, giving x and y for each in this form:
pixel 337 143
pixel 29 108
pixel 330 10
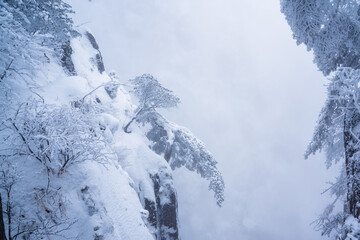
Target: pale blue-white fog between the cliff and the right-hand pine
pixel 247 91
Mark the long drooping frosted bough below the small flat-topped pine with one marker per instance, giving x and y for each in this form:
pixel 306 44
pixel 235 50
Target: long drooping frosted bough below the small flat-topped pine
pixel 183 149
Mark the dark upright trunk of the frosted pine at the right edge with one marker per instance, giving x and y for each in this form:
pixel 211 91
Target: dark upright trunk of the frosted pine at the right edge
pixel 352 204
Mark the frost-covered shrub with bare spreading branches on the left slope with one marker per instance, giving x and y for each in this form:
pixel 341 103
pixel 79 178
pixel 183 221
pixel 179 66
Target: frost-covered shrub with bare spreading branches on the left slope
pixel 56 136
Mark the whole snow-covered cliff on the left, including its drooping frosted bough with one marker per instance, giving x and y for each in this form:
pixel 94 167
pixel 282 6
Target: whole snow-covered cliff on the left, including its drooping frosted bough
pixel 67 167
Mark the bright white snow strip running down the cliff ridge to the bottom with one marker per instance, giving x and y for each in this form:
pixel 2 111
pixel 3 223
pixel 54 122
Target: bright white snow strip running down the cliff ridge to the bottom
pixel 115 189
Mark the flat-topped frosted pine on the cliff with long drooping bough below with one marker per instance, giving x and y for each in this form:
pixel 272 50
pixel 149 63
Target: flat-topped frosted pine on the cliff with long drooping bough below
pixel 177 144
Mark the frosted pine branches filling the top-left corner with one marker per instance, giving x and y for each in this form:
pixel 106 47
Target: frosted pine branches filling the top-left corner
pixel 32 31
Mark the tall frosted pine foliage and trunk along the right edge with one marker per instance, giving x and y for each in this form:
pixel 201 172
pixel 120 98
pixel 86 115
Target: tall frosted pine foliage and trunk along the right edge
pixel 331 29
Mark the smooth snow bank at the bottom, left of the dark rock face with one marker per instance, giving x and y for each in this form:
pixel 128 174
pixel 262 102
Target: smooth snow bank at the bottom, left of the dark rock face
pixel 119 201
